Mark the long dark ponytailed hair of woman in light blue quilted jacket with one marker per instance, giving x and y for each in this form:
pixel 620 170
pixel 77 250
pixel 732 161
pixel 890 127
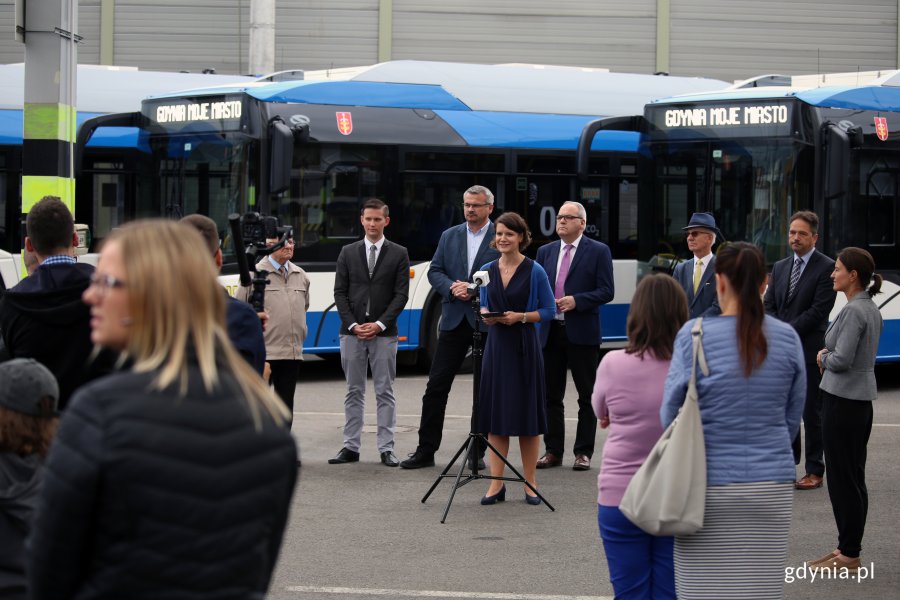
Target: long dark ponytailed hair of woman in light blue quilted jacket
pixel 745 268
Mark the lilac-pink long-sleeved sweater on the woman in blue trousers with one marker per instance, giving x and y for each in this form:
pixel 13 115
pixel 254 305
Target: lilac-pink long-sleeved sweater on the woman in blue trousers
pixel 629 390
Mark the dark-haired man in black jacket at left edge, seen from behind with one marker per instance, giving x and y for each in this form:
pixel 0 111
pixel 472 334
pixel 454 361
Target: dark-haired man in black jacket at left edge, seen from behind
pixel 43 316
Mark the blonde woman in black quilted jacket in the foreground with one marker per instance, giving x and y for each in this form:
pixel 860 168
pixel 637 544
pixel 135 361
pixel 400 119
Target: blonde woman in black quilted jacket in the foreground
pixel 173 477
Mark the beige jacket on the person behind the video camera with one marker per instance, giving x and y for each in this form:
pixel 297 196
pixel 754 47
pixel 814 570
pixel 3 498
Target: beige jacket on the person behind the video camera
pixel 287 301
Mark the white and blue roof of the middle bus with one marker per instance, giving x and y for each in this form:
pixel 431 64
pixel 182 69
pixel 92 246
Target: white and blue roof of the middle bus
pixel 493 88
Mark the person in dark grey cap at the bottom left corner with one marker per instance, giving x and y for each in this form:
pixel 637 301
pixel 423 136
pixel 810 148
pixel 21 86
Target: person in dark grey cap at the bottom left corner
pixel 28 397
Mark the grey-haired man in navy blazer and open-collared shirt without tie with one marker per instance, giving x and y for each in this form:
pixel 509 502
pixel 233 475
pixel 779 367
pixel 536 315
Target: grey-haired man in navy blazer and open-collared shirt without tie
pixel 462 250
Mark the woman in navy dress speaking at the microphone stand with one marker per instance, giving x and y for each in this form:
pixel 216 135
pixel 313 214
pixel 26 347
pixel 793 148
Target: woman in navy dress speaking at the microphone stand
pixel 511 395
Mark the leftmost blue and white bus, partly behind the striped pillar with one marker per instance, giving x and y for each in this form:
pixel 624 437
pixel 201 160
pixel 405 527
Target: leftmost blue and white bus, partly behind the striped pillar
pixel 106 191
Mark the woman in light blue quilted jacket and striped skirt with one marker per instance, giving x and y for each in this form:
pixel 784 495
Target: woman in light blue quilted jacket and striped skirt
pixel 750 405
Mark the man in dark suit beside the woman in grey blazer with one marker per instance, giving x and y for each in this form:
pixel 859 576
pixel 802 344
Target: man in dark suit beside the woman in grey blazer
pixel 800 293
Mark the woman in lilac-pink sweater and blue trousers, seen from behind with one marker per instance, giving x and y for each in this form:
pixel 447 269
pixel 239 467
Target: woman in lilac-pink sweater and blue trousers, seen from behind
pixel 627 396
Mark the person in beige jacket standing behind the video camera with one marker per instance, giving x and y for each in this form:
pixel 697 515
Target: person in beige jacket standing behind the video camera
pixel 287 300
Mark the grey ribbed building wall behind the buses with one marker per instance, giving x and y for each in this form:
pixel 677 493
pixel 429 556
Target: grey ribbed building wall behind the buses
pixel 730 39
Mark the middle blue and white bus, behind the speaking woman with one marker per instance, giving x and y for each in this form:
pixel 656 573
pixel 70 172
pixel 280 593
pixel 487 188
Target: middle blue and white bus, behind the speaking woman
pixel 415 134
